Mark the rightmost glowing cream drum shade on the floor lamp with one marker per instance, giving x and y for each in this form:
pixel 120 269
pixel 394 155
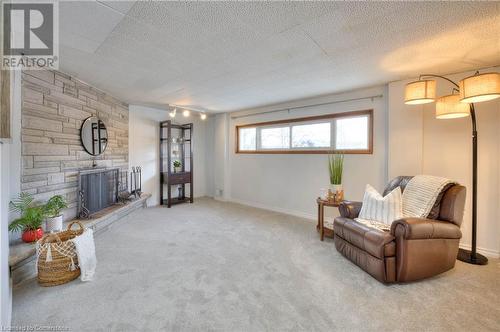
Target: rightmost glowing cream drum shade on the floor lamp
pixel 481 87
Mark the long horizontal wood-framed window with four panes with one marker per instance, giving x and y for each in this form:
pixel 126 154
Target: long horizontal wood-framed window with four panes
pixel 349 132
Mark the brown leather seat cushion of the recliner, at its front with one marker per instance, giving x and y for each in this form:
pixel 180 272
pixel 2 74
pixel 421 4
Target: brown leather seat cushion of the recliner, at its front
pixel 377 243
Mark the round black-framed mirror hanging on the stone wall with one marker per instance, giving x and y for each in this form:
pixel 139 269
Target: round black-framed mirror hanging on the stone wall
pixel 94 136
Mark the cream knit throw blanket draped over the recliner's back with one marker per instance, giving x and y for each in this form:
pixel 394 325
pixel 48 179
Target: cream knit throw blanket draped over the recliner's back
pixel 421 193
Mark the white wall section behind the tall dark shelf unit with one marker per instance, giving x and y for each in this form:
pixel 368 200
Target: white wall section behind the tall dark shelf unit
pixel 144 149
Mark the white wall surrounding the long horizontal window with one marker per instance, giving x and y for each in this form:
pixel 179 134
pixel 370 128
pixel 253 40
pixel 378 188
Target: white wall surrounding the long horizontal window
pixel 291 183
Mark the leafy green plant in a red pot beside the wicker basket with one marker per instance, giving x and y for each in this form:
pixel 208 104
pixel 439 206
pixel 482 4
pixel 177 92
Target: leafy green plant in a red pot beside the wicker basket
pixel 30 220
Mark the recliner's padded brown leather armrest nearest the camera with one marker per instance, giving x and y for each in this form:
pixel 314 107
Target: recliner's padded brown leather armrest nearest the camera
pixel 420 228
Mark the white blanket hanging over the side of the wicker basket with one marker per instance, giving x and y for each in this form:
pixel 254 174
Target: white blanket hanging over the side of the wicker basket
pixel 85 249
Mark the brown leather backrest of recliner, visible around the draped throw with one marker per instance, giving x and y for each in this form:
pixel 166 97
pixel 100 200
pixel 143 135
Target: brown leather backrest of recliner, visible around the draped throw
pixel 449 205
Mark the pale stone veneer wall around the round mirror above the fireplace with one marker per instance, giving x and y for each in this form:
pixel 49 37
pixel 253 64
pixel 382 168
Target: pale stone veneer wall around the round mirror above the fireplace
pixel 54 106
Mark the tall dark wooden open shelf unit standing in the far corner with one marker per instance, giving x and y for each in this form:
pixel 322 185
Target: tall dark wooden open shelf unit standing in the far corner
pixel 176 163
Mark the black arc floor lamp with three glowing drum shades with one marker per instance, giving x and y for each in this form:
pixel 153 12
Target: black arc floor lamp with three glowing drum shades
pixel 460 103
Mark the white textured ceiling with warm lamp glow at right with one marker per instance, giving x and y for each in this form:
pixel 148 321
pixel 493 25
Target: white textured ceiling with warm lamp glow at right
pixel 225 56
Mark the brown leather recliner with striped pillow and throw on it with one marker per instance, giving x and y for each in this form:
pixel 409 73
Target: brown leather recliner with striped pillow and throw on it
pixel 414 249
